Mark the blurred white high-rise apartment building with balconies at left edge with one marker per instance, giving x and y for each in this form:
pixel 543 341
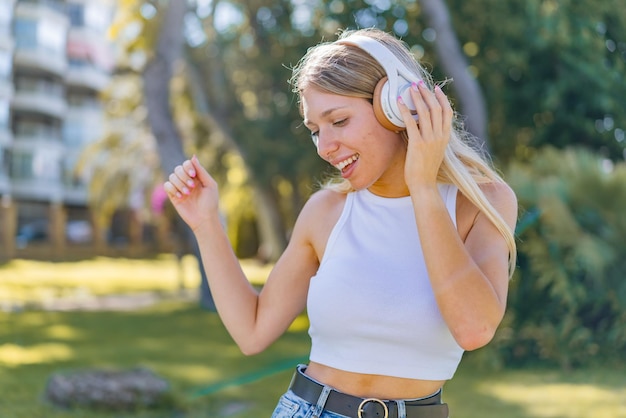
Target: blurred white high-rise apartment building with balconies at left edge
pixel 54 61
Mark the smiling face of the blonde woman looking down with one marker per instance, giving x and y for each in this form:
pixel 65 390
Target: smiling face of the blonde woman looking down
pixel 349 137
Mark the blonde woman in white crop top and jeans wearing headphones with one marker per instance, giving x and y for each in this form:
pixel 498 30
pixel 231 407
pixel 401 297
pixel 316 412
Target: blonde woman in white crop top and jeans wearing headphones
pixel 402 264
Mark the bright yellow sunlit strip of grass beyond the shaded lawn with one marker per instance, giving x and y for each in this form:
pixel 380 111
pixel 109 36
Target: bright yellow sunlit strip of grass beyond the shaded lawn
pixel 28 282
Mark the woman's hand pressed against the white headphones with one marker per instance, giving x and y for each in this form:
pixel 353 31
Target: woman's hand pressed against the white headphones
pixel 428 137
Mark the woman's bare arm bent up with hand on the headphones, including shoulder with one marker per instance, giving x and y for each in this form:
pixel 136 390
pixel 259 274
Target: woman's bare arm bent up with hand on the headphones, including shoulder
pixel 469 276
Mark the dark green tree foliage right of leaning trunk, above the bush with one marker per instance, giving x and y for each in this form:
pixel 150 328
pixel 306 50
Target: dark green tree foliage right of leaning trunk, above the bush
pixel 552 72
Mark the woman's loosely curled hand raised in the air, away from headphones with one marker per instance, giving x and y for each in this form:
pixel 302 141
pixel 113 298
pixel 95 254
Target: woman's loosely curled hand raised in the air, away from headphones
pixel 193 192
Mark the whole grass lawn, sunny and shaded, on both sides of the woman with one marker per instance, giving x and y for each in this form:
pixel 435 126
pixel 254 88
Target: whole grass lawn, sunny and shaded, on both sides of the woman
pixel 209 377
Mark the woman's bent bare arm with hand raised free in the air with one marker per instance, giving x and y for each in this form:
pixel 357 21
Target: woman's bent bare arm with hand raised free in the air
pixel 254 320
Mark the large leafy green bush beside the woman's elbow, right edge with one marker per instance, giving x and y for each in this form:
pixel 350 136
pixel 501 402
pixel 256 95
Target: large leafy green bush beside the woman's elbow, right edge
pixel 567 299
